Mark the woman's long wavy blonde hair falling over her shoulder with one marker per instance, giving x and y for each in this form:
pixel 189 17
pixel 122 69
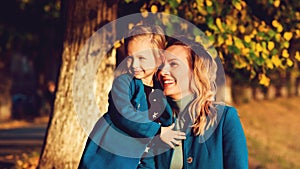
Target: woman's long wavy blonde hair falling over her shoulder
pixel 203 85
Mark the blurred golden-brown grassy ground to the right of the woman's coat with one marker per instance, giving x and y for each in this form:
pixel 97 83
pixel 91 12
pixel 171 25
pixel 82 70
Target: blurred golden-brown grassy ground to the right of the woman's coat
pixel 272 131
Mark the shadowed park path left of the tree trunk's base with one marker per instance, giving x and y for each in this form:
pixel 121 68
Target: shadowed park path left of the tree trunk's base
pixel 20 144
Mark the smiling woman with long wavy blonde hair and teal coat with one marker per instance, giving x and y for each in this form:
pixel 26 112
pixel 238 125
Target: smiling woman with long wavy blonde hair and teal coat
pixel 214 135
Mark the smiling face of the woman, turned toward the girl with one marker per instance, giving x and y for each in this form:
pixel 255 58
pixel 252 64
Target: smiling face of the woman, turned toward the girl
pixel 176 74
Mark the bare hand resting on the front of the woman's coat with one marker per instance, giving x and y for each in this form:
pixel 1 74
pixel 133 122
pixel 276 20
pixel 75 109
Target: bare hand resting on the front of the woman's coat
pixel 171 137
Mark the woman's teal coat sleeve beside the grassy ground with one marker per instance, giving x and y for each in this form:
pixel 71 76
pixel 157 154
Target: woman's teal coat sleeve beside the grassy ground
pixel 235 150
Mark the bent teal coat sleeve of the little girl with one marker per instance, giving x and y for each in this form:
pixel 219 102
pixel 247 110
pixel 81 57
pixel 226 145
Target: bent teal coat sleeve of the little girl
pixel 123 114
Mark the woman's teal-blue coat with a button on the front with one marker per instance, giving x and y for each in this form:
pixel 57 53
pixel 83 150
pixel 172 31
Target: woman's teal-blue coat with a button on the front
pixel 223 146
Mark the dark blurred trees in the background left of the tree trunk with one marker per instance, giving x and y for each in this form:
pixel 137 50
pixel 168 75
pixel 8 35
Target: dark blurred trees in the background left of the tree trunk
pixel 31 36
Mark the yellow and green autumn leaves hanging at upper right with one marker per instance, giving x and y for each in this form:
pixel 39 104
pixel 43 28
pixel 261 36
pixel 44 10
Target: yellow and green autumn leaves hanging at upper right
pixel 252 38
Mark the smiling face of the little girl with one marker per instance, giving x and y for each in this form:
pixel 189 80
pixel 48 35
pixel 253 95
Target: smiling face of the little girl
pixel 141 60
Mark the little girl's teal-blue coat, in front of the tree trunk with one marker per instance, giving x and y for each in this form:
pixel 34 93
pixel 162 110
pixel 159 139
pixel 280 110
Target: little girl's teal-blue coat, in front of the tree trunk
pixel 119 138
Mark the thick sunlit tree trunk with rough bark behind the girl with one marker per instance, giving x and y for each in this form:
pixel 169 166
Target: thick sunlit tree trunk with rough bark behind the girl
pixel 66 138
